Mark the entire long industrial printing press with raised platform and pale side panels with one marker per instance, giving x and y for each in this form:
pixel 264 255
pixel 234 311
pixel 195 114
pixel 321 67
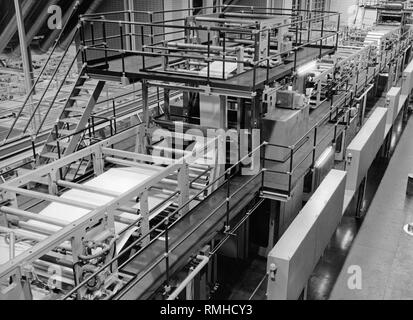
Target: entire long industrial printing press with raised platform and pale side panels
pixel 254 107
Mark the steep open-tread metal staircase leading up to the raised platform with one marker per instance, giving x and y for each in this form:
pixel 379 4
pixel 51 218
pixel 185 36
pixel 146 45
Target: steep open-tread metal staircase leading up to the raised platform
pixel 67 133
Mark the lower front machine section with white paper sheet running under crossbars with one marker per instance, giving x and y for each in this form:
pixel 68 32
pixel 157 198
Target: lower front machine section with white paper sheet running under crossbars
pixel 52 248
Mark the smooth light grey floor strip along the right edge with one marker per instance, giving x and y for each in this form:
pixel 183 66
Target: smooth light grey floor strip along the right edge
pixel 382 250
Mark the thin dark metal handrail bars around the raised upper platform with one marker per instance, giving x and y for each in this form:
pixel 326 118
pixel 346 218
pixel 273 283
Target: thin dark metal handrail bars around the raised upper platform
pixel 254 63
